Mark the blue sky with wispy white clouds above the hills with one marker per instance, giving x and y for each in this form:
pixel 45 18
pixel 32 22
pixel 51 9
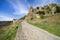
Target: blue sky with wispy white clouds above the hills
pixel 15 9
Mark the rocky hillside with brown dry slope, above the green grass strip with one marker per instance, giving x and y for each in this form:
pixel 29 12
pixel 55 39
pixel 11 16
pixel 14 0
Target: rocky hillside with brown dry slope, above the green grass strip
pixel 49 12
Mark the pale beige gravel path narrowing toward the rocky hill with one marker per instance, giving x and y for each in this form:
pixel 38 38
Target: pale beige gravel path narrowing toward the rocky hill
pixel 29 32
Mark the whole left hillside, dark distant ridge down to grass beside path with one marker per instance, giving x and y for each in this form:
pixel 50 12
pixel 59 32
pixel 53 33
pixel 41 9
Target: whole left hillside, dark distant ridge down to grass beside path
pixel 8 29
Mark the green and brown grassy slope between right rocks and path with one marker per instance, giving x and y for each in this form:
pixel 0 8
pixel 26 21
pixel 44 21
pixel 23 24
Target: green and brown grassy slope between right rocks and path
pixel 51 24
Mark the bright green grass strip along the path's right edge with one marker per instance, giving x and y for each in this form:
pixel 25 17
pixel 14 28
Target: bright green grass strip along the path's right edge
pixel 54 29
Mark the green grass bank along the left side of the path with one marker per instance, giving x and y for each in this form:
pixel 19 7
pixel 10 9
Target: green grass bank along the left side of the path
pixel 9 33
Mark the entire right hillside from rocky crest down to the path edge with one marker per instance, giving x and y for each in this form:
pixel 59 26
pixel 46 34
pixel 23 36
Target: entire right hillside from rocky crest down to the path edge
pixel 47 18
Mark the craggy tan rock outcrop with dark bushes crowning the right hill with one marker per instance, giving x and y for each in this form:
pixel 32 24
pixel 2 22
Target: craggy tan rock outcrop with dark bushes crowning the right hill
pixel 43 12
